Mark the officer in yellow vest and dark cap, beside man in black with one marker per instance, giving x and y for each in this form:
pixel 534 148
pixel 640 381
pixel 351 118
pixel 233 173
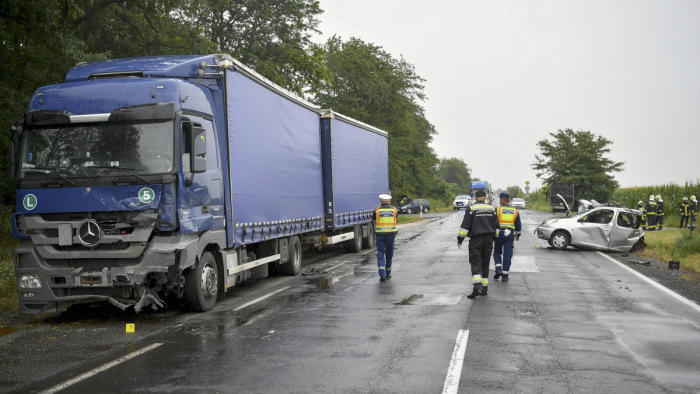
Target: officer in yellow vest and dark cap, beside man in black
pixel 509 220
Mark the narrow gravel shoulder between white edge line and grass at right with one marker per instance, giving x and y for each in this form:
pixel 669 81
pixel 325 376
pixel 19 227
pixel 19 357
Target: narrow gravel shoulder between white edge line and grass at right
pixel 682 282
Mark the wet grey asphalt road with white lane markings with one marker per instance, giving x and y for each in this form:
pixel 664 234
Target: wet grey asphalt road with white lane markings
pixel 568 321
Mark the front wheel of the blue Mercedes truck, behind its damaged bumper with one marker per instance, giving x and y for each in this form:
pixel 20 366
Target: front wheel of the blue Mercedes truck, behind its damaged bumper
pixel 201 284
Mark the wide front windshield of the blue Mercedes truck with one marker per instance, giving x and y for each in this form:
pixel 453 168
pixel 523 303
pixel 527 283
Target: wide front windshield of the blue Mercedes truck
pixel 90 149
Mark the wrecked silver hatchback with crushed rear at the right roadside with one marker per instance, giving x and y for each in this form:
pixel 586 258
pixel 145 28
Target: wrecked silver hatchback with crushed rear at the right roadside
pixel 604 228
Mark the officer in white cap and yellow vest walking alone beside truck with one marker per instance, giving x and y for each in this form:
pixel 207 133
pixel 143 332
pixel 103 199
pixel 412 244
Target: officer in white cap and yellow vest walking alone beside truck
pixel 385 229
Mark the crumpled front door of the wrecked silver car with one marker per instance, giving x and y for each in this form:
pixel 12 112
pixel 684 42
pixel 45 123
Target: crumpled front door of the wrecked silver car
pixel 593 230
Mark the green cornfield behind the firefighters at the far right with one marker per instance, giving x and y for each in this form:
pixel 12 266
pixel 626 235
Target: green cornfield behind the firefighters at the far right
pixel 671 194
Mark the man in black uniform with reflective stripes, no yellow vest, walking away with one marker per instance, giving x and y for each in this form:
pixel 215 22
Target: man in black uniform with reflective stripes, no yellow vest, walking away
pixel 481 225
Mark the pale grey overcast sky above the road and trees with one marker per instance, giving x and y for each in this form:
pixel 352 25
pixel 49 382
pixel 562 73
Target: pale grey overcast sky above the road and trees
pixel 502 75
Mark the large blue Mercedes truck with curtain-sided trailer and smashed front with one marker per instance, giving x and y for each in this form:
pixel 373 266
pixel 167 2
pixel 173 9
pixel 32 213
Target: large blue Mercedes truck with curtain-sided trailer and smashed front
pixel 181 176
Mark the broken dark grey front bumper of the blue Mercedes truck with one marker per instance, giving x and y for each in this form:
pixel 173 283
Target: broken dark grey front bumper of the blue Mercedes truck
pixel 124 283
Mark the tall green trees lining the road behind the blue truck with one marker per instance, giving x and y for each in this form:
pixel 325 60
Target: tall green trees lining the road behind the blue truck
pixel 40 40
